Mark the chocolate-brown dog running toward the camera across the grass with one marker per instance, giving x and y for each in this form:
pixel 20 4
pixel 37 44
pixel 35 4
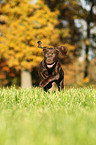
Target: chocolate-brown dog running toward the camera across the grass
pixel 50 69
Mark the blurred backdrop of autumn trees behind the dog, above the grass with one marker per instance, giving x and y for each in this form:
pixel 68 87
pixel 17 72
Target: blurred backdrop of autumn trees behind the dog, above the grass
pixel 55 22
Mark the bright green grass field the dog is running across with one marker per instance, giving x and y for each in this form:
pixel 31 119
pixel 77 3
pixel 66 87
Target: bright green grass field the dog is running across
pixel 33 117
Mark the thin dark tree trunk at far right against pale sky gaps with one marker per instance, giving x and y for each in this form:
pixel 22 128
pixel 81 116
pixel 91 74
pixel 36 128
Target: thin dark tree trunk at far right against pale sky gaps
pixel 90 19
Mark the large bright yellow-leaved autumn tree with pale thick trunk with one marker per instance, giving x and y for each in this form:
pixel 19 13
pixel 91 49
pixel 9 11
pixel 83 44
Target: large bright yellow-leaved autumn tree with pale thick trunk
pixel 22 24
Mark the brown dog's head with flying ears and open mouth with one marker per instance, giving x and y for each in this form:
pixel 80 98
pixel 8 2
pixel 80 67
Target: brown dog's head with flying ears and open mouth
pixel 51 54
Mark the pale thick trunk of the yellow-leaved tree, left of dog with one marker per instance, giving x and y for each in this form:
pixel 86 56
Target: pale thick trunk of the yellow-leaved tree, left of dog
pixel 26 79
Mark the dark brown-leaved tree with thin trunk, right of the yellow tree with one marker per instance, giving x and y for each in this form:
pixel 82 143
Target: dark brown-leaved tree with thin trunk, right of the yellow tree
pixel 71 14
